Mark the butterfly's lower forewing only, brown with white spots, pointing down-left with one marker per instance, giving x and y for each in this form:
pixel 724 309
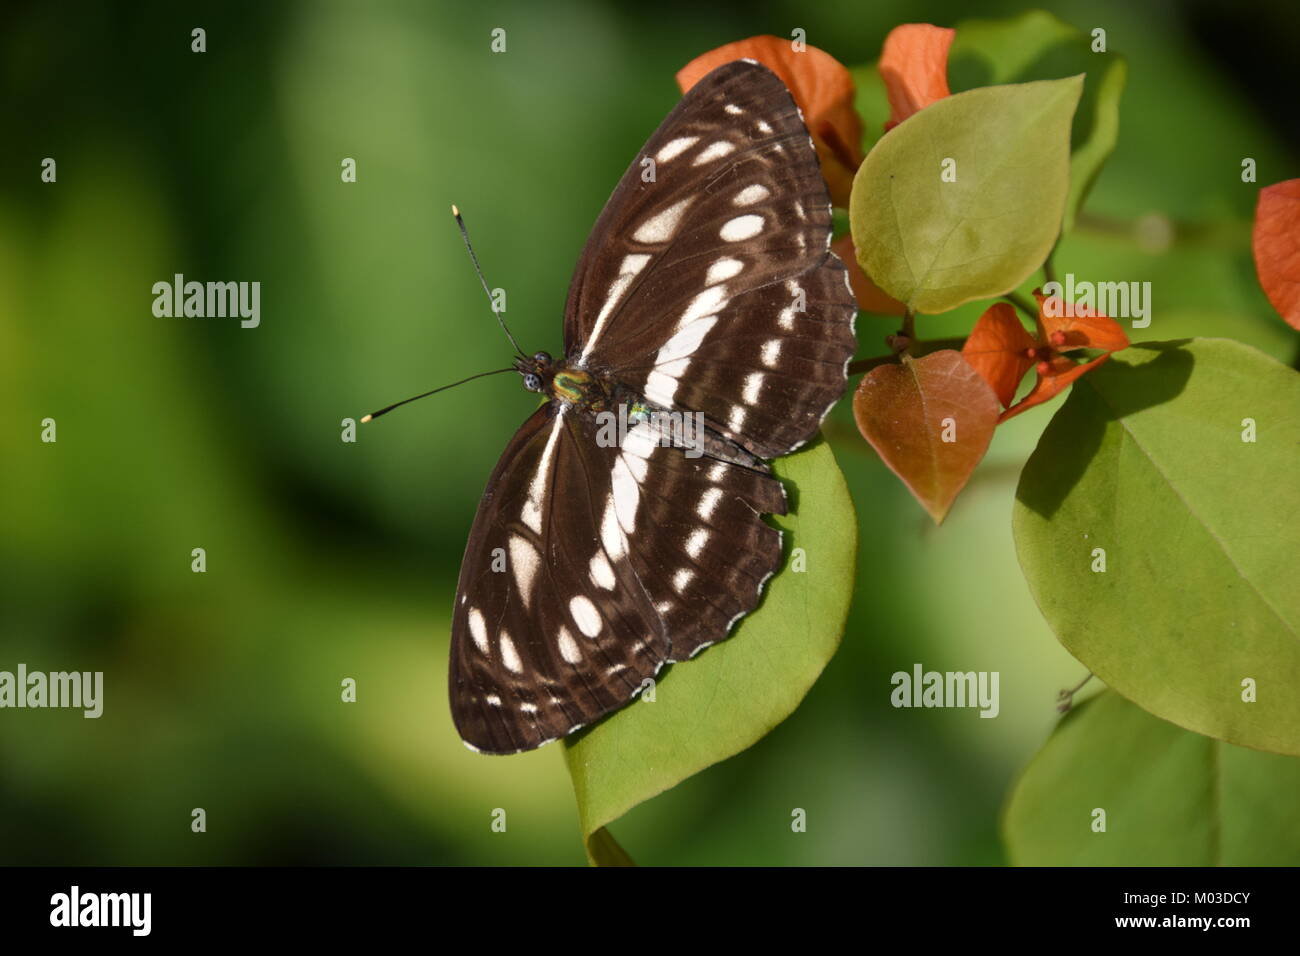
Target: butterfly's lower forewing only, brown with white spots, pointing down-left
pixel 539 647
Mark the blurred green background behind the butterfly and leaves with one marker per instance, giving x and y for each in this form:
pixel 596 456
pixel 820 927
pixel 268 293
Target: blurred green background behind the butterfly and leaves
pixel 331 560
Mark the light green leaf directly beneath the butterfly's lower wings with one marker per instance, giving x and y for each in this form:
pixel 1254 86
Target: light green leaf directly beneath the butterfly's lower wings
pixel 734 694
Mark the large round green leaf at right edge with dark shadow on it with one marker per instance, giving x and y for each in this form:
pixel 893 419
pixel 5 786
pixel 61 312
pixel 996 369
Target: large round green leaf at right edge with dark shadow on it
pixel 1147 462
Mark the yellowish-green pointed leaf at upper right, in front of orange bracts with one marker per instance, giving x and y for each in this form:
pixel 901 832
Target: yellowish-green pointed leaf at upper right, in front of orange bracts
pixel 935 245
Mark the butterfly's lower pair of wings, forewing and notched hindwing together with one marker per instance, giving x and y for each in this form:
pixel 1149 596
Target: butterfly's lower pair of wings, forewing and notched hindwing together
pixel 591 566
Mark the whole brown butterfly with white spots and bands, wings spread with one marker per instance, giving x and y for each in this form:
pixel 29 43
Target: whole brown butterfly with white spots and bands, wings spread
pixel 707 292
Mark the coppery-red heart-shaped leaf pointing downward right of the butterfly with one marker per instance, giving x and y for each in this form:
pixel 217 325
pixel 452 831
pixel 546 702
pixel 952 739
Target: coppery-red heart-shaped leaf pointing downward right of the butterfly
pixel 907 412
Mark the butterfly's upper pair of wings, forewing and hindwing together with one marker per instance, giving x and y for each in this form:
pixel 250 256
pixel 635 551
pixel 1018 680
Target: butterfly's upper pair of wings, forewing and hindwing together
pixel 709 285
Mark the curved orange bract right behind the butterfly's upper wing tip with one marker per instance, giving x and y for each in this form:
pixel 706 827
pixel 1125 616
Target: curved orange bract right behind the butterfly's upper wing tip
pixel 822 88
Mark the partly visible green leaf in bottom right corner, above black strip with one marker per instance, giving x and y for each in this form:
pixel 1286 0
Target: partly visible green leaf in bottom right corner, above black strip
pixel 1171 798
